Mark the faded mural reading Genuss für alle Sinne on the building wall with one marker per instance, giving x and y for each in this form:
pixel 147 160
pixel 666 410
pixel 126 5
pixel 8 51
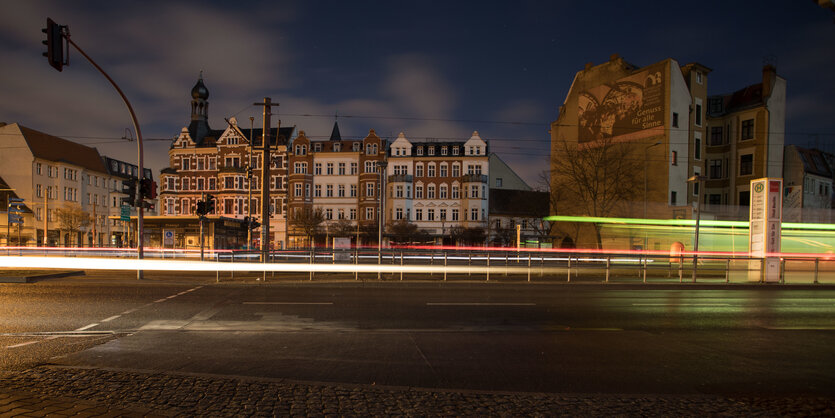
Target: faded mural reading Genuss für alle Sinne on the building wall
pixel 630 108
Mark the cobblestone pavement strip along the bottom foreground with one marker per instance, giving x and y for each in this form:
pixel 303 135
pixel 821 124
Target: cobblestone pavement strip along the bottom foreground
pixel 59 391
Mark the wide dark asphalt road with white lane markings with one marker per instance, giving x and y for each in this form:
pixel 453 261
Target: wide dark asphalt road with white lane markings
pixel 509 337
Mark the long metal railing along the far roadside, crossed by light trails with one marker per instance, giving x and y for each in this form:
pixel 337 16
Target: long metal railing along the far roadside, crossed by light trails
pixel 488 265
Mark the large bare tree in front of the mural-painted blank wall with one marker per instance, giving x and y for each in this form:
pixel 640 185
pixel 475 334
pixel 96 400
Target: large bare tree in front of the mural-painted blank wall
pixel 597 179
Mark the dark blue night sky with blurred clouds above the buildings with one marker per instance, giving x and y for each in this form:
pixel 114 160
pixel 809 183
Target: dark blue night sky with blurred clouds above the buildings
pixel 430 69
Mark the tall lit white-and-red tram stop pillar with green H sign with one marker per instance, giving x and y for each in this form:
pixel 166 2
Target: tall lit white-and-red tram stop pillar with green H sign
pixel 765 229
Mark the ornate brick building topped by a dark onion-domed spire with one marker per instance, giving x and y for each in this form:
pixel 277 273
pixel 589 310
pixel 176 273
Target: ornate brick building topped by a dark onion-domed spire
pixel 224 163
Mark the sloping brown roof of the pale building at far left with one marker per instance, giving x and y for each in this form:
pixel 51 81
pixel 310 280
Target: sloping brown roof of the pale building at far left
pixel 52 148
